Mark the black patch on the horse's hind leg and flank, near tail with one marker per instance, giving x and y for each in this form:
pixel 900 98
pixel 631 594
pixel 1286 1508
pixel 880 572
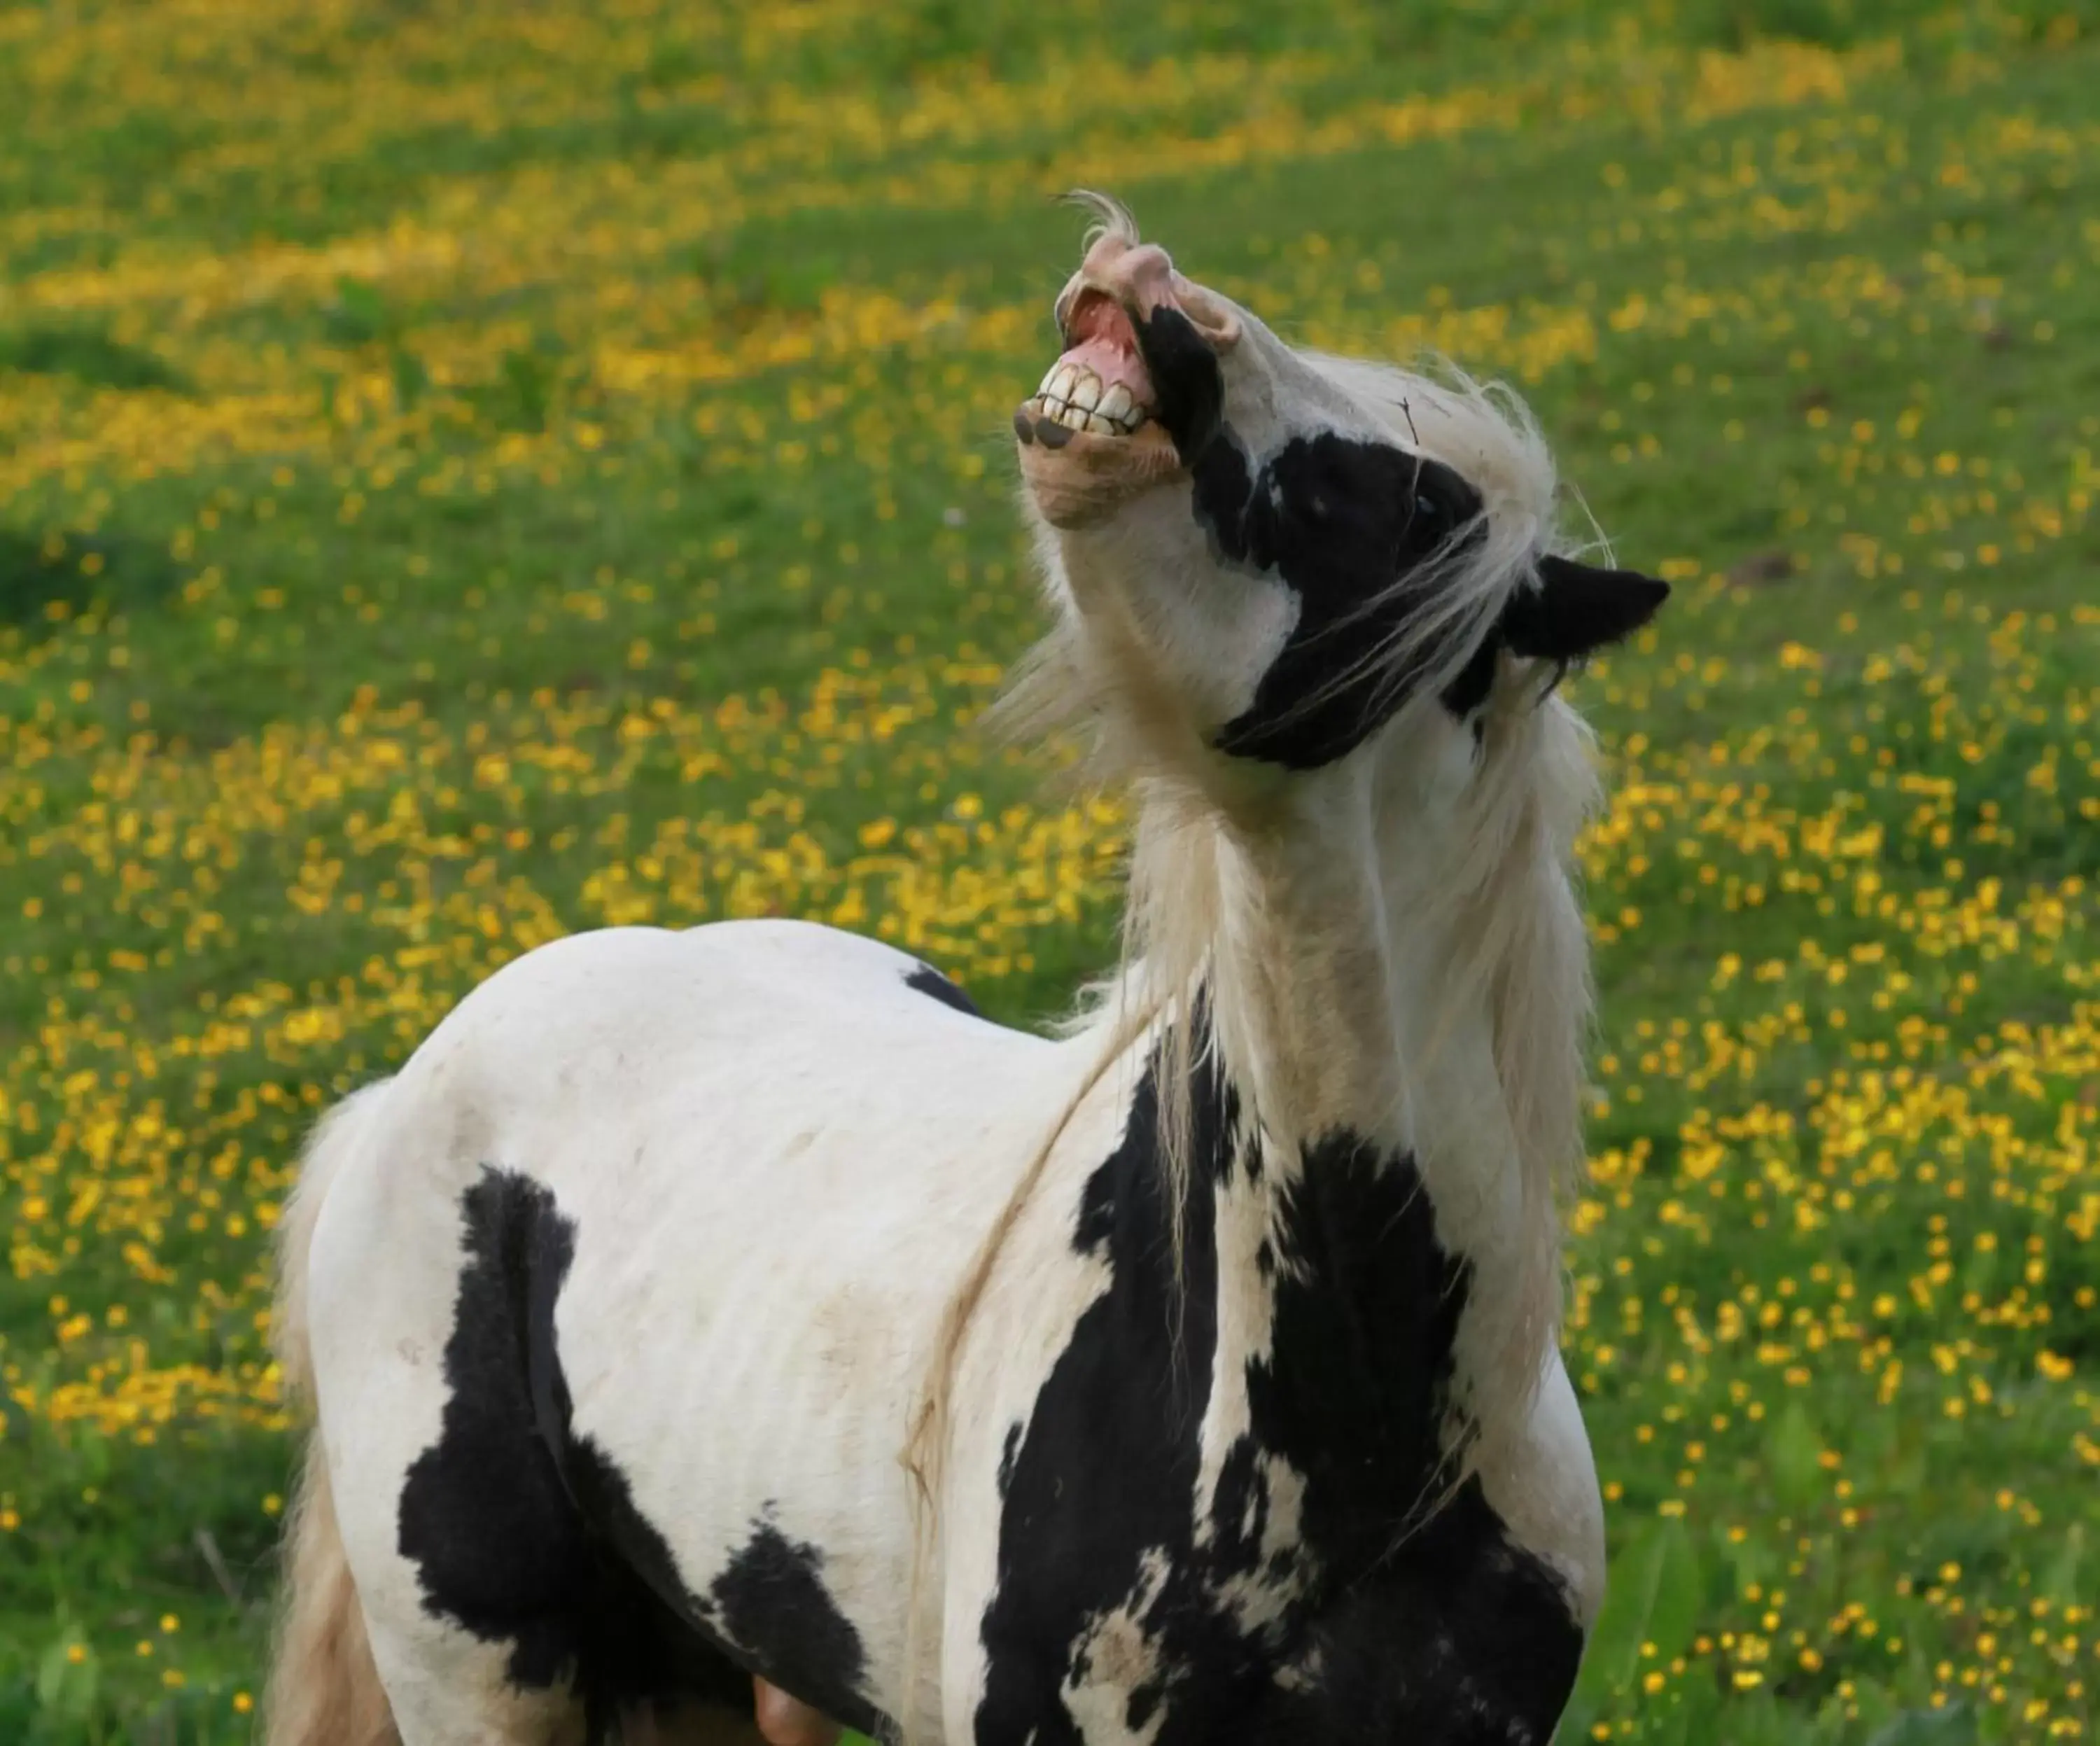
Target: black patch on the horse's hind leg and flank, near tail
pixel 528 1535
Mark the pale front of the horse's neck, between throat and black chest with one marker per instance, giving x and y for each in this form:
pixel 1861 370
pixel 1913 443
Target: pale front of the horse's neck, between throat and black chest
pixel 1349 1022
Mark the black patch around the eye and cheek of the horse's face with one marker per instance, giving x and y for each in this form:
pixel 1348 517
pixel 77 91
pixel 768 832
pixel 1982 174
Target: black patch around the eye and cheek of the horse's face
pixel 1345 524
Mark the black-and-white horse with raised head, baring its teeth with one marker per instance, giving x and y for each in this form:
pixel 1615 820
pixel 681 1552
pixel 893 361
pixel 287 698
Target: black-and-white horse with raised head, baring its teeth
pixel 726 1306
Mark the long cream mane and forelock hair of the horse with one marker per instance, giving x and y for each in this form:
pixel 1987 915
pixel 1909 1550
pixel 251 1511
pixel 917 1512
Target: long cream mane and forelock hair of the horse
pixel 1511 907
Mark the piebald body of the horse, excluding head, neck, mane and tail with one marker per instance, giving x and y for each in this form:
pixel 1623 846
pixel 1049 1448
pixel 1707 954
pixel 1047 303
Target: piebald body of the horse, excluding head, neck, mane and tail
pixel 625 1125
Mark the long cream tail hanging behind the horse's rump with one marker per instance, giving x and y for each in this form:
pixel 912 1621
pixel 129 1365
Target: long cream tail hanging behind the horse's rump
pixel 324 1688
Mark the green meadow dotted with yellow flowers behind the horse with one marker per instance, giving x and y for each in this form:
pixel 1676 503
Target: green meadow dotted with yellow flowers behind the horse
pixel 478 472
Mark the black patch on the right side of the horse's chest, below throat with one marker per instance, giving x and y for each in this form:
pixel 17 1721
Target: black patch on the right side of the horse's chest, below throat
pixel 1440 1627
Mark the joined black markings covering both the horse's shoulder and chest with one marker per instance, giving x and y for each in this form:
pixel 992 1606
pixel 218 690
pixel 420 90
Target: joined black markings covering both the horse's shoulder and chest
pixel 1410 1623
